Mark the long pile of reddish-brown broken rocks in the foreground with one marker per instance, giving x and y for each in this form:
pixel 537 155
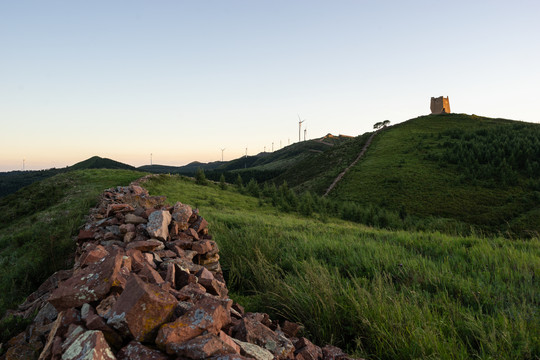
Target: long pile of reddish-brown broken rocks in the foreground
pixel 147 284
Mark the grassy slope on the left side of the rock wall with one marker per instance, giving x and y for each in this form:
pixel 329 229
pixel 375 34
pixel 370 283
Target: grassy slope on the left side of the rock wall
pixel 37 225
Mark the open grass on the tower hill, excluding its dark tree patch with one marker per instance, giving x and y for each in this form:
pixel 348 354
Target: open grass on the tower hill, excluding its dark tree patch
pixel 395 174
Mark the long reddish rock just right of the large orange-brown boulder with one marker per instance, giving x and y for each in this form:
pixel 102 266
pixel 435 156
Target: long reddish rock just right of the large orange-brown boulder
pixel 209 315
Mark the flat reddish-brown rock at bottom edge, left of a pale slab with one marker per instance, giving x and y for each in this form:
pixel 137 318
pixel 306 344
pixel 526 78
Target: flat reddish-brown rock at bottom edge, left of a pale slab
pixel 201 347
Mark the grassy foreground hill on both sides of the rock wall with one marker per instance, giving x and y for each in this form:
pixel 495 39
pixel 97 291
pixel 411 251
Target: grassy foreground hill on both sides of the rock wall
pixel 381 294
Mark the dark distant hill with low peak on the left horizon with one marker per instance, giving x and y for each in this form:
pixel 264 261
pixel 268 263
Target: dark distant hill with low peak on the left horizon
pixel 12 181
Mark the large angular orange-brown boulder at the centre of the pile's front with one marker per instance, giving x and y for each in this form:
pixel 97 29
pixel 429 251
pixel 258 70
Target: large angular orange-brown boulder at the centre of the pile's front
pixel 141 309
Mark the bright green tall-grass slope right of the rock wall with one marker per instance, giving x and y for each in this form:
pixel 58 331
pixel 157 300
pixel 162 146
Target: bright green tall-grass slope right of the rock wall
pixel 381 294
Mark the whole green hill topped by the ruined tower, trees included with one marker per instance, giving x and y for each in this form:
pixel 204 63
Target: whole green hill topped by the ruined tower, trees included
pixel 477 170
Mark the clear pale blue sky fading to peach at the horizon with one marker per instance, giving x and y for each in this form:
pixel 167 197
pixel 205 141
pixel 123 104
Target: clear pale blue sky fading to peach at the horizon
pixel 182 80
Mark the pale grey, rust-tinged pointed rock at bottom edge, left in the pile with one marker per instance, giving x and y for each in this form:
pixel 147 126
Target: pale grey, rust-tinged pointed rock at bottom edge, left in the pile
pixel 89 345
